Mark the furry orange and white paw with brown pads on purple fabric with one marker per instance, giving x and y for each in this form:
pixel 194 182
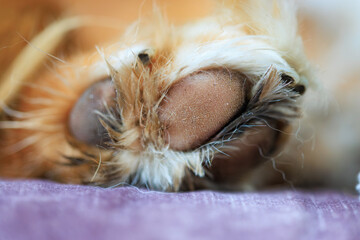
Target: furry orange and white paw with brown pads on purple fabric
pixel 230 102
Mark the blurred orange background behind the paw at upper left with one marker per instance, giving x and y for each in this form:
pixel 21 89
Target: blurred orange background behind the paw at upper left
pixel 23 19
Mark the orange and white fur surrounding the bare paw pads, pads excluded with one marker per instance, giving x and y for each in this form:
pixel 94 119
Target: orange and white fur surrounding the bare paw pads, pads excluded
pixel 258 39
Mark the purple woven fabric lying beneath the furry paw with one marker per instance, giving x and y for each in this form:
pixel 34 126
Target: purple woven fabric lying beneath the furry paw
pixel 42 210
